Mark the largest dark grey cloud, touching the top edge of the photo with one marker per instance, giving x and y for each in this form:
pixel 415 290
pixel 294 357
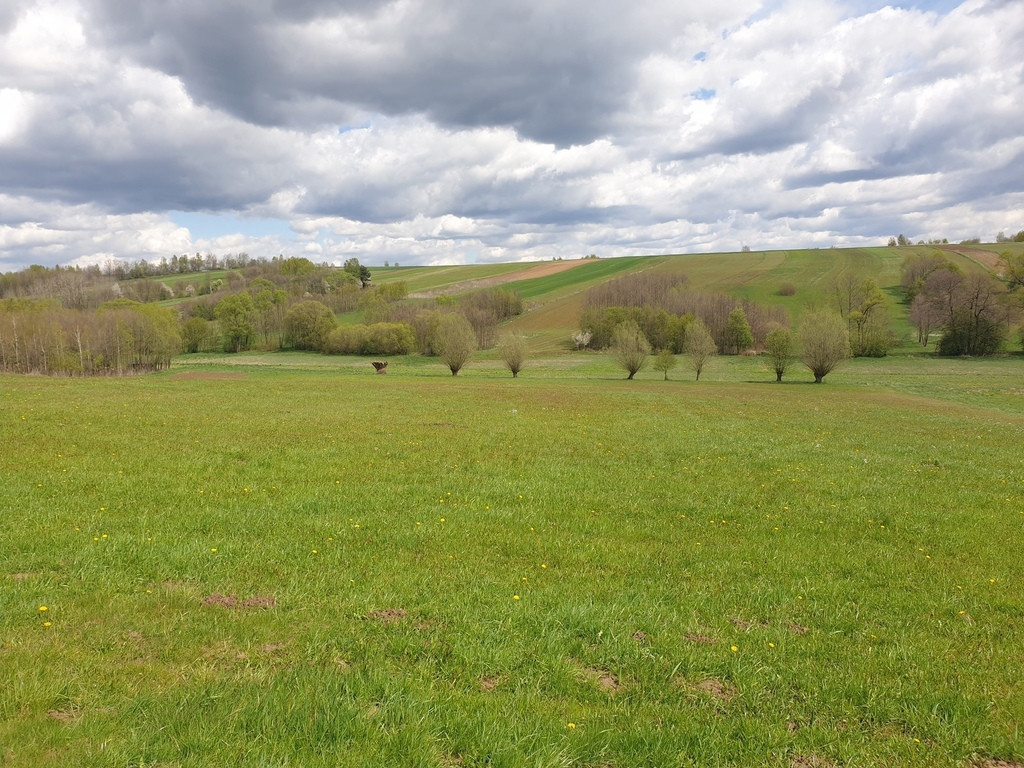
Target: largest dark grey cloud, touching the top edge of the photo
pixel 557 72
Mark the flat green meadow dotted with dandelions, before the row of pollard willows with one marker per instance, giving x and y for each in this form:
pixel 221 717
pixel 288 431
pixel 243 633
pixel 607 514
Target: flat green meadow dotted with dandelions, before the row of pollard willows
pixel 563 570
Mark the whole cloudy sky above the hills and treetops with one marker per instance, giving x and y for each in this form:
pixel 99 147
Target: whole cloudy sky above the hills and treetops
pixel 476 132
